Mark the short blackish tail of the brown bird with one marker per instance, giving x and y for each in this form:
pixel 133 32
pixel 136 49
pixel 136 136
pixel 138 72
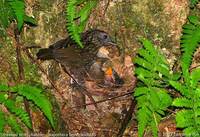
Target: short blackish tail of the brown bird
pixel 45 54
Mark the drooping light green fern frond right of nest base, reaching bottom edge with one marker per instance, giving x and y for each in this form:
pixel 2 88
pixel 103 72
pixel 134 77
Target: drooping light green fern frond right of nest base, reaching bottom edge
pixel 149 110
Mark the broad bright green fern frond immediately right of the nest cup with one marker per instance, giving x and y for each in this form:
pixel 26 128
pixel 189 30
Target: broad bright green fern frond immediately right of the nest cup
pixel 153 68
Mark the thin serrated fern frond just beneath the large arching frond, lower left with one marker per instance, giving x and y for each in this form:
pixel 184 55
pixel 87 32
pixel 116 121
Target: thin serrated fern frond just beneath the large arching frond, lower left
pixel 23 115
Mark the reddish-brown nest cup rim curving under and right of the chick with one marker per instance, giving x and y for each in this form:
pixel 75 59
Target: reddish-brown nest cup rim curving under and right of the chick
pixel 125 71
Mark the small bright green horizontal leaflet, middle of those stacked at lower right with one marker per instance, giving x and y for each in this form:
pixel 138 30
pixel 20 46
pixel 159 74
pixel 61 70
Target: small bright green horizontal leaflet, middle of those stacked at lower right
pixel 183 102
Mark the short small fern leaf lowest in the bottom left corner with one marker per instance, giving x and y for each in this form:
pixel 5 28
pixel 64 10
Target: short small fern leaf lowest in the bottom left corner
pixel 12 122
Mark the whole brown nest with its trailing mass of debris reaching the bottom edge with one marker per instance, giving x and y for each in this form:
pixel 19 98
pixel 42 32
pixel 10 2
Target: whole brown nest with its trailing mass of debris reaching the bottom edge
pixel 106 119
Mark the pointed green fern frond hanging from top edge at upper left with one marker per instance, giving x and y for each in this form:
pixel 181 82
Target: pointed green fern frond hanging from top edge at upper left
pixel 18 7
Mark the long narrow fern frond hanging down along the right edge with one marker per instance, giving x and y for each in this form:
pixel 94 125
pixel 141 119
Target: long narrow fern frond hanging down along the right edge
pixel 189 43
